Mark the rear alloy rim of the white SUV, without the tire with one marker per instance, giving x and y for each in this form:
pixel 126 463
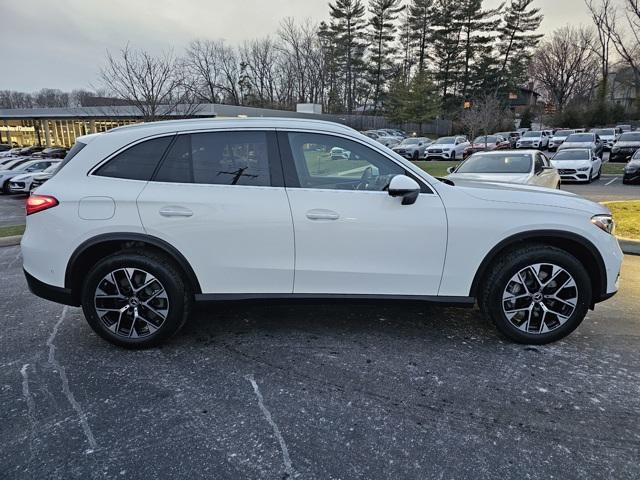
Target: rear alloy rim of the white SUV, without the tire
pixel 131 303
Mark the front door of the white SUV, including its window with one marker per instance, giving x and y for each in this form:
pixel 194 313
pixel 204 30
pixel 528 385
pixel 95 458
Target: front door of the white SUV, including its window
pixel 351 237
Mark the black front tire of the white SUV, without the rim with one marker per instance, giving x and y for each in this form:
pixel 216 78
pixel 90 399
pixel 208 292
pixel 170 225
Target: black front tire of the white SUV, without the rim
pixel 495 282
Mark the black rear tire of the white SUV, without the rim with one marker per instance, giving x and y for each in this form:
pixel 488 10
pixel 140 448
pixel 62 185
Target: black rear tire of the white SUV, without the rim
pixel 178 294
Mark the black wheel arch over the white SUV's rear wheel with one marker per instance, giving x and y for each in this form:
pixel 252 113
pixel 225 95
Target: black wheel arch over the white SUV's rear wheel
pixel 96 248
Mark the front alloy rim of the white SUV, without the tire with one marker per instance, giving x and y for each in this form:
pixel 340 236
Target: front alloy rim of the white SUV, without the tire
pixel 540 298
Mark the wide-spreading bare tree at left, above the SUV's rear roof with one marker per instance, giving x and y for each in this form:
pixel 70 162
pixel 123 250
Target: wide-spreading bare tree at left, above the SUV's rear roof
pixel 155 85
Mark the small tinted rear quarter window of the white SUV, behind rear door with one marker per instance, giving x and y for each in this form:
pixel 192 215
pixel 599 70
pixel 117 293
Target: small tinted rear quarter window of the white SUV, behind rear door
pixel 138 162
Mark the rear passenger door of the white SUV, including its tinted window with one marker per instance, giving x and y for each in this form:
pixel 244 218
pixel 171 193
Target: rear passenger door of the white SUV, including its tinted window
pixel 219 198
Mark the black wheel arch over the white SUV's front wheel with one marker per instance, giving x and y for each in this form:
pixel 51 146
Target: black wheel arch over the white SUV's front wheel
pixel 572 243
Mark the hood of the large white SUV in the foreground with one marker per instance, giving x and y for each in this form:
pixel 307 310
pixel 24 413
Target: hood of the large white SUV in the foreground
pixel 529 195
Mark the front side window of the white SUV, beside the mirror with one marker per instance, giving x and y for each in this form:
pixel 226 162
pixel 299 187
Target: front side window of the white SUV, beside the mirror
pixel 328 162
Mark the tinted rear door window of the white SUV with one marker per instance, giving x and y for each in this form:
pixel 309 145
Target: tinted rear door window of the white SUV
pixel 218 158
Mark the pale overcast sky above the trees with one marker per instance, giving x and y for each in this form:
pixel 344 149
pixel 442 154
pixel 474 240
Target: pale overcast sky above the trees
pixel 62 43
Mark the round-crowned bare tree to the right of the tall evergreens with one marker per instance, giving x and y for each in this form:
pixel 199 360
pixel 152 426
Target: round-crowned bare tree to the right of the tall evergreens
pixel 566 67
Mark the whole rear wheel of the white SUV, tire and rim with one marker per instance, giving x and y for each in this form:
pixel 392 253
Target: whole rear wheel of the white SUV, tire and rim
pixel 136 299
